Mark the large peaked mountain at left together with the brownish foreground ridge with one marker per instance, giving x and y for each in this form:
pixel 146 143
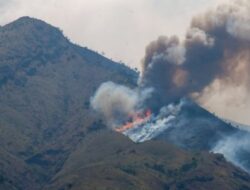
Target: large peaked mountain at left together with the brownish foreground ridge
pixel 51 139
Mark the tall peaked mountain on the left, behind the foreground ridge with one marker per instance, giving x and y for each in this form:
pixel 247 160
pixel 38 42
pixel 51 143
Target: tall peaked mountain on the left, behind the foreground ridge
pixel 45 86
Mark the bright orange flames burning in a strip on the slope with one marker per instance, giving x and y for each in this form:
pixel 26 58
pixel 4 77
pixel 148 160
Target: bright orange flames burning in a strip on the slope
pixel 136 120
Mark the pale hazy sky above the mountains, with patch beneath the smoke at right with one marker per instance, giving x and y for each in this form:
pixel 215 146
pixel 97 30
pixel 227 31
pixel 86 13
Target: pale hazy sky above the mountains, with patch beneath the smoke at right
pixel 121 29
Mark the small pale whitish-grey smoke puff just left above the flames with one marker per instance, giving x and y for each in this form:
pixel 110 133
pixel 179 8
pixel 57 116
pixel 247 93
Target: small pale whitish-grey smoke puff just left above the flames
pixel 116 103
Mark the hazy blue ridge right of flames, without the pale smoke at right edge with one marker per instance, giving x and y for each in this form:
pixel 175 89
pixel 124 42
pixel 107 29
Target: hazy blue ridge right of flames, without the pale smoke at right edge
pixel 186 125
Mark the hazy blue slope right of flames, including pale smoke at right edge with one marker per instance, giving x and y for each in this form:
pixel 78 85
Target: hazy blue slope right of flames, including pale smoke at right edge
pixel 188 126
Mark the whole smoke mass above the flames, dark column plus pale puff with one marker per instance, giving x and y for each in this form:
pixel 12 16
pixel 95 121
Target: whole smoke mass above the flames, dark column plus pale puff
pixel 214 56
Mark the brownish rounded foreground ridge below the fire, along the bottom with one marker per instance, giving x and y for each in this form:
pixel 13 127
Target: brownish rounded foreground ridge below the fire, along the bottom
pixel 106 160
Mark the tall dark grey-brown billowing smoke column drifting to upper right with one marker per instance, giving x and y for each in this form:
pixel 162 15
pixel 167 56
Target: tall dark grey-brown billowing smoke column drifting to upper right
pixel 216 48
